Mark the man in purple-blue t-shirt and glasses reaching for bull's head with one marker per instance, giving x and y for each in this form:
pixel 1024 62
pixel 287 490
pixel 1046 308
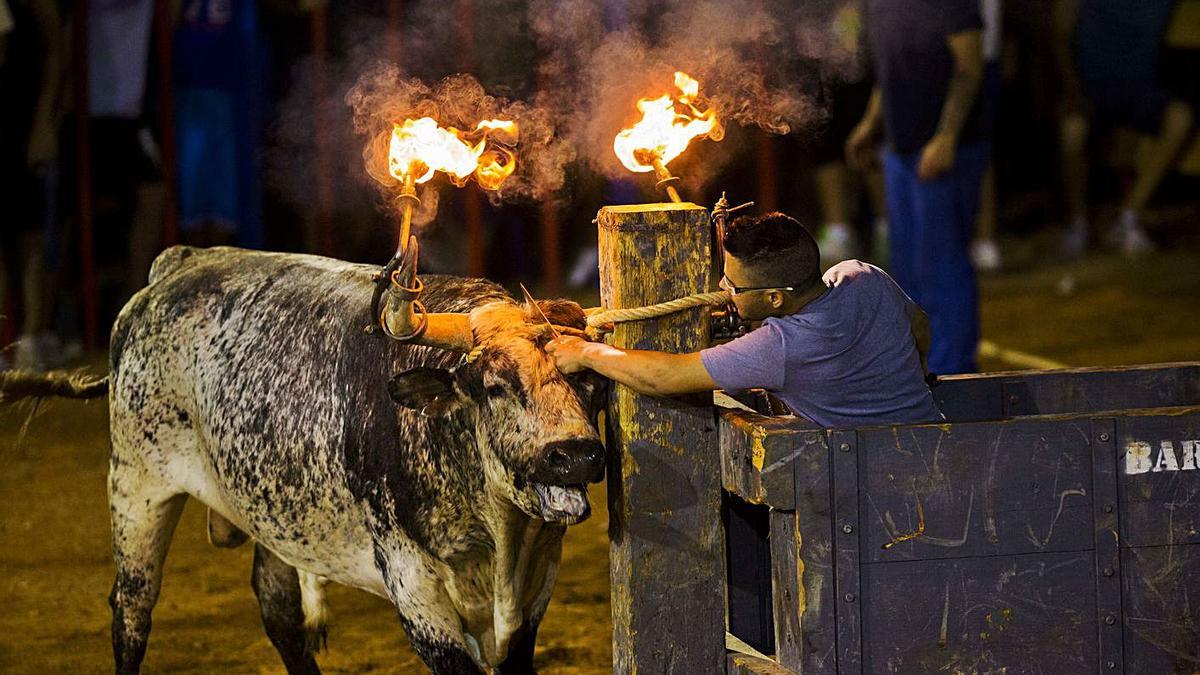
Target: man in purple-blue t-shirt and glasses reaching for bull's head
pixel 839 351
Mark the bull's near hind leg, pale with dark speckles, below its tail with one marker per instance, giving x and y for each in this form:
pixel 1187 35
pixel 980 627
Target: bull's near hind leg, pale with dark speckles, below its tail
pixel 145 517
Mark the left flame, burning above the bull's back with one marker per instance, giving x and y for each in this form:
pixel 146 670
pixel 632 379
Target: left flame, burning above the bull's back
pixel 421 148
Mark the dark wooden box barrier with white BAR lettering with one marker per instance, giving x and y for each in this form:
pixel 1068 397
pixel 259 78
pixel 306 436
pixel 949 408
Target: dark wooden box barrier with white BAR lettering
pixel 1051 525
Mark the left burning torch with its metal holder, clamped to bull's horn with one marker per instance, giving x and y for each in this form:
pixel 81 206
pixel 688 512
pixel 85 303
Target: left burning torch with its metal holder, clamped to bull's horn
pixel 417 152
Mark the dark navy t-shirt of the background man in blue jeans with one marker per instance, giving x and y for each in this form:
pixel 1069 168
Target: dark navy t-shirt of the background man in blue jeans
pixel 914 67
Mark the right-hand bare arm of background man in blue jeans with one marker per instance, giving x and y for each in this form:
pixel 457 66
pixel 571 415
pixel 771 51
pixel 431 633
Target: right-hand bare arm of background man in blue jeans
pixel 938 157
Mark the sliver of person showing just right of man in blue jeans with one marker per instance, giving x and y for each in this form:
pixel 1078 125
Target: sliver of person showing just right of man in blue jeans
pixel 985 250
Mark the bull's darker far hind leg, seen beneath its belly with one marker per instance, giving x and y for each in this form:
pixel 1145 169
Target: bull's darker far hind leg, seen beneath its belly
pixel 278 588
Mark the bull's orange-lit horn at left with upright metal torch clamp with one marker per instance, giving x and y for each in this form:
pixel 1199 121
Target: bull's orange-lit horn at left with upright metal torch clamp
pixel 405 319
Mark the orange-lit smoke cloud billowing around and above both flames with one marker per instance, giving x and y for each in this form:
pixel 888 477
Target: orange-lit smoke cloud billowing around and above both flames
pixel 567 71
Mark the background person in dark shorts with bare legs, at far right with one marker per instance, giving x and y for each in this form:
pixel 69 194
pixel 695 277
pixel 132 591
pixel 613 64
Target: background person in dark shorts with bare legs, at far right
pixel 1108 56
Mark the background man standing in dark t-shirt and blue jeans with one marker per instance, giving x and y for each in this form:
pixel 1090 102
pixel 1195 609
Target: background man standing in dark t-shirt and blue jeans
pixel 928 65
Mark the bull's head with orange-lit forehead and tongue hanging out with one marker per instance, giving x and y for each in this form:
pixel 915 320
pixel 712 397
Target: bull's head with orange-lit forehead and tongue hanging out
pixel 536 428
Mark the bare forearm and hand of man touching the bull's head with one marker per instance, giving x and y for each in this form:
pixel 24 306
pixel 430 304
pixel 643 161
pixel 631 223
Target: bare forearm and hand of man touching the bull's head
pixel 647 373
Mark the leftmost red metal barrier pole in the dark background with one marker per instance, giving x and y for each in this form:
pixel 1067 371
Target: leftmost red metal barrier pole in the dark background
pixel 83 174
